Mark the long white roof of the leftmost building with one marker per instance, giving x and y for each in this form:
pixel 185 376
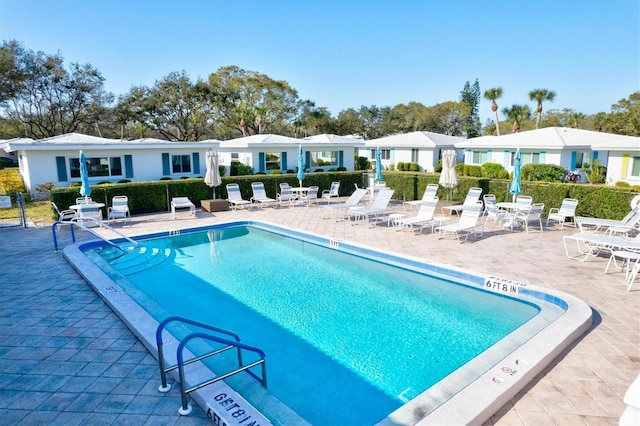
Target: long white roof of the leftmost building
pixel 80 141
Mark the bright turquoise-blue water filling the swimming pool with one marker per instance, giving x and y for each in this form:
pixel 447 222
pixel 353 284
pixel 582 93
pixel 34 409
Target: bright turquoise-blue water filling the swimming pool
pixel 348 339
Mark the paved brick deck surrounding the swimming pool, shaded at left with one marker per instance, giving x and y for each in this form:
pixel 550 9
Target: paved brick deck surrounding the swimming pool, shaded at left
pixel 66 358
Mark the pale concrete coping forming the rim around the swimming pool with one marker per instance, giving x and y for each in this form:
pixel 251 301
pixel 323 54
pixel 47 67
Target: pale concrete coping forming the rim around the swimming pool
pixel 473 404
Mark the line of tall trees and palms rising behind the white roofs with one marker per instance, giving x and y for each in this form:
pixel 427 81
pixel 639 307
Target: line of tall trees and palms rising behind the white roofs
pixel 42 97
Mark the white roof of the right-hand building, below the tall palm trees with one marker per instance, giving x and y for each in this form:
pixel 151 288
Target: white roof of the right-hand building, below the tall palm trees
pixel 546 138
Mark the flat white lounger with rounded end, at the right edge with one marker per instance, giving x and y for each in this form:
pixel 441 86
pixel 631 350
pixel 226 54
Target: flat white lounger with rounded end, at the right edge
pixel 591 244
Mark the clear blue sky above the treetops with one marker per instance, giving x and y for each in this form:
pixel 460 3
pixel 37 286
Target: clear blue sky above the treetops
pixel 347 53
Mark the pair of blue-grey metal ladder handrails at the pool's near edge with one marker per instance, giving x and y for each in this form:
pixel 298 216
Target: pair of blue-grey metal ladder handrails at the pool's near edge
pixel 185 409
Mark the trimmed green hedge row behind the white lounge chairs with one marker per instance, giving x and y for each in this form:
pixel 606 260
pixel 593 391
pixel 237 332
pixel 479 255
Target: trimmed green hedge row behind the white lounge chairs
pixel 150 197
